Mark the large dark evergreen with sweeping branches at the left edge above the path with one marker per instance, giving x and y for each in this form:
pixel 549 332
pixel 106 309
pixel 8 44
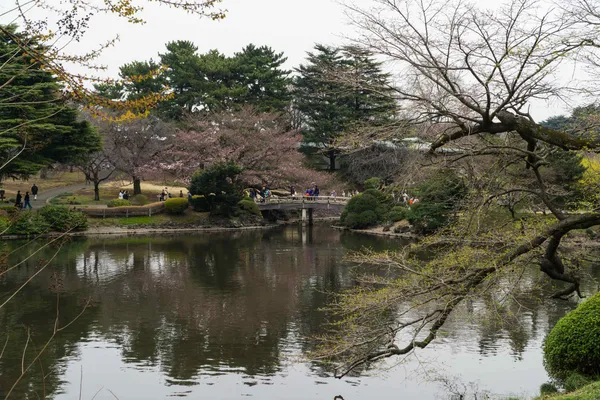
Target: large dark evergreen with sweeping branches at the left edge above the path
pixel 37 126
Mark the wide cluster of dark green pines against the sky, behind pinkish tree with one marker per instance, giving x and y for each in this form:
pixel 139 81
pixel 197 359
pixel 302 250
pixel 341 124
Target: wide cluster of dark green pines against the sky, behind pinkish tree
pixel 207 83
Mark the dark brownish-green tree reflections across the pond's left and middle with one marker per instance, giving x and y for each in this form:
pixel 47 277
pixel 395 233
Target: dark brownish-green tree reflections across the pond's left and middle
pixel 189 304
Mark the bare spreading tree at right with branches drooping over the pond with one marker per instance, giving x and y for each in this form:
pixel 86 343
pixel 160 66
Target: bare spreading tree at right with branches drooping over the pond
pixel 473 72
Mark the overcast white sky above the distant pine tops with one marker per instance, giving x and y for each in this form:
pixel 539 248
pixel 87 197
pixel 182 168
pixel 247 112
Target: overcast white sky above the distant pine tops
pixel 289 26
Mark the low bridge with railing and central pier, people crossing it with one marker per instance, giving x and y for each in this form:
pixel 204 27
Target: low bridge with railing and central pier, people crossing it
pixel 306 204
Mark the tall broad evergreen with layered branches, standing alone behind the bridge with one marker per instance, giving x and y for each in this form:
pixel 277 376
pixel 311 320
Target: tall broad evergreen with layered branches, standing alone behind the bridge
pixel 338 89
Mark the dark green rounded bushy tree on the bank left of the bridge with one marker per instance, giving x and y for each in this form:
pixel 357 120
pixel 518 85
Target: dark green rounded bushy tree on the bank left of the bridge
pixel 217 185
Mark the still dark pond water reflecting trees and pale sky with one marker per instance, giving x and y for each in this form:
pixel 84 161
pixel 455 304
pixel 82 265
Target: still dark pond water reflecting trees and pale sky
pixel 230 316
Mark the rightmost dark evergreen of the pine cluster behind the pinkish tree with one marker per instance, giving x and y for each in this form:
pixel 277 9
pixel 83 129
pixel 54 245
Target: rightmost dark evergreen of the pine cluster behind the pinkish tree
pixel 268 86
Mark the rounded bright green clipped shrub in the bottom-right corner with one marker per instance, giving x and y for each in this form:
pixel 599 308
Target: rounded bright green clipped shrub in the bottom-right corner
pixel 573 345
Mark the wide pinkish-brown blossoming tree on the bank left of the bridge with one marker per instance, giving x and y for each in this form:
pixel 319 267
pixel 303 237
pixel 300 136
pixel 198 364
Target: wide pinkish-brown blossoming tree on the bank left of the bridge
pixel 258 142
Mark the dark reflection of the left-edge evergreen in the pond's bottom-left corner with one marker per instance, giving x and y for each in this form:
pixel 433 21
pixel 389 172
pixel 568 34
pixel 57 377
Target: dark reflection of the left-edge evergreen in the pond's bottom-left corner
pixel 33 310
